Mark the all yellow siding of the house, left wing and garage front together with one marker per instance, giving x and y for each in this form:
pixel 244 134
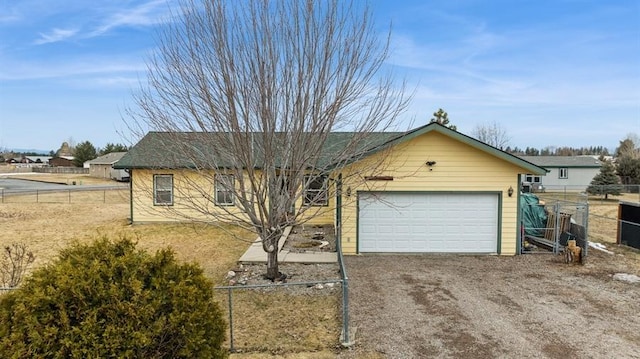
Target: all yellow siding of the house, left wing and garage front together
pixel 459 167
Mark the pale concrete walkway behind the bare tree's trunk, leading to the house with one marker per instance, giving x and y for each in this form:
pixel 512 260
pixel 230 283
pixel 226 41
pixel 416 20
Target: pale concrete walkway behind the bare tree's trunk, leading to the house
pixel 255 253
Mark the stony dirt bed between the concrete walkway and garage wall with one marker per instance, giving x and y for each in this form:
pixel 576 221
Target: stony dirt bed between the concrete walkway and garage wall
pixel 311 238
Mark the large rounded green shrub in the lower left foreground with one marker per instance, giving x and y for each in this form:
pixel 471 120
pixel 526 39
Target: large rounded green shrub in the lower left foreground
pixel 109 299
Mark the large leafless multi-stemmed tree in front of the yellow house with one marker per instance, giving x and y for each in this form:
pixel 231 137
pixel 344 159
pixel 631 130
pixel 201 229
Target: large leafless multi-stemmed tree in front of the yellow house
pixel 248 94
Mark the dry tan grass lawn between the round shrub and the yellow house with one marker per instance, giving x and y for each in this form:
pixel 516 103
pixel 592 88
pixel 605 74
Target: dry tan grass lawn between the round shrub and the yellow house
pixel 267 323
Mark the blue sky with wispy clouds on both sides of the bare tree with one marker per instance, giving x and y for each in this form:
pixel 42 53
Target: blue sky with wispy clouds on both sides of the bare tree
pixel 550 72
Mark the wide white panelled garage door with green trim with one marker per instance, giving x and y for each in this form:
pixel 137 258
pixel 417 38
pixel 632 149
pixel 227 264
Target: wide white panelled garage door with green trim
pixel 428 222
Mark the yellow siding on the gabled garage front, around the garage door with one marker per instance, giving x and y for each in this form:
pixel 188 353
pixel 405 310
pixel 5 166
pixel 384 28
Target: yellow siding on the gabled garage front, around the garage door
pixel 459 167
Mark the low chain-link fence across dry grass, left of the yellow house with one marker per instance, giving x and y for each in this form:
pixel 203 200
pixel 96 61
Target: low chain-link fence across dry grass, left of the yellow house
pixel 118 194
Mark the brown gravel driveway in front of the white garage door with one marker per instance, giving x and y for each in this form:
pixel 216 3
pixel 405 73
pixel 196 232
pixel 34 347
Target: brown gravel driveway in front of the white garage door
pixel 531 306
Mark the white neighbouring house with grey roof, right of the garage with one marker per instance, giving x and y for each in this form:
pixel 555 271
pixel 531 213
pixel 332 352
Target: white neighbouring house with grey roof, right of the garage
pixel 566 173
